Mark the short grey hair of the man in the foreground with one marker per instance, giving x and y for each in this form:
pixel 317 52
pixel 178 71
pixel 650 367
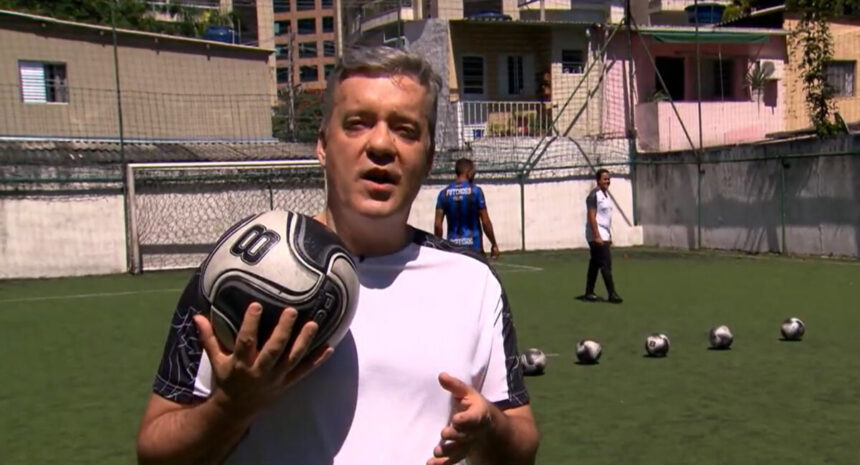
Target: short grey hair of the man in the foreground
pixel 383 61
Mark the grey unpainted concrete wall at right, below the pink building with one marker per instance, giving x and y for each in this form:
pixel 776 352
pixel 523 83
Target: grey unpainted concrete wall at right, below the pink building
pixel 741 201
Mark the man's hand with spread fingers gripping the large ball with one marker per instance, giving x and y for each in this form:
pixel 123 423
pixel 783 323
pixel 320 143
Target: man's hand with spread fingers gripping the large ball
pixel 250 379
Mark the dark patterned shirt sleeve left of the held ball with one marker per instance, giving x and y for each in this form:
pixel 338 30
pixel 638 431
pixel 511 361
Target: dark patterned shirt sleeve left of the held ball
pixel 182 352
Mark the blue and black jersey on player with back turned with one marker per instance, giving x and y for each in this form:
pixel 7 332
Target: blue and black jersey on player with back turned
pixel 462 202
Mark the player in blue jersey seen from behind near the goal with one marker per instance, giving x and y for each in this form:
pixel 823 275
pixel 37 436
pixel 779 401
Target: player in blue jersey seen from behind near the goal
pixel 463 204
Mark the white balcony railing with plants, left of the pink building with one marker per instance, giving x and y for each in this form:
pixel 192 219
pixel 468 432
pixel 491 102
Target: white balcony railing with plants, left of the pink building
pixel 481 119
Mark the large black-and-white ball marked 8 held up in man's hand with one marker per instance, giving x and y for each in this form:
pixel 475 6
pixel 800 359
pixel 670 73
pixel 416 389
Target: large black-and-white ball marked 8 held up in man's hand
pixel 280 259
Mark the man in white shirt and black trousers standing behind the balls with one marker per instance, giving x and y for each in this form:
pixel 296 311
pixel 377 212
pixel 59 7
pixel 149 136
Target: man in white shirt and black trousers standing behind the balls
pixel 598 233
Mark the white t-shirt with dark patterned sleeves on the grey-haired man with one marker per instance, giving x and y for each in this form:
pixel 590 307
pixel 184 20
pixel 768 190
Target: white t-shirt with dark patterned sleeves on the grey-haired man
pixel 425 309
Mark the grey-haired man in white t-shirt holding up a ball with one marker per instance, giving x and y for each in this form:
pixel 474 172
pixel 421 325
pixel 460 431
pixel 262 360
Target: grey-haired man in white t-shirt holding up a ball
pixel 423 376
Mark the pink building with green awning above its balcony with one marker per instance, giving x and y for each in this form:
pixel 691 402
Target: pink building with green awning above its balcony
pixel 732 111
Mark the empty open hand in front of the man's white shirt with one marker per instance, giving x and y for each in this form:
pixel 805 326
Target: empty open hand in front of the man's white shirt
pixel 471 420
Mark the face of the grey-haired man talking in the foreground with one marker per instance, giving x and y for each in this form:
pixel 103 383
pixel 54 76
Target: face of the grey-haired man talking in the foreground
pixel 376 148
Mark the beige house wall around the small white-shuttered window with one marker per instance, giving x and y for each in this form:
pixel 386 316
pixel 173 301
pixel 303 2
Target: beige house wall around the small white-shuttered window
pixel 171 88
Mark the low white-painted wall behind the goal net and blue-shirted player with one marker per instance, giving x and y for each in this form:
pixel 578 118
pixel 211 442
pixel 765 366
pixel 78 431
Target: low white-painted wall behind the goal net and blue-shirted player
pixel 78 235
